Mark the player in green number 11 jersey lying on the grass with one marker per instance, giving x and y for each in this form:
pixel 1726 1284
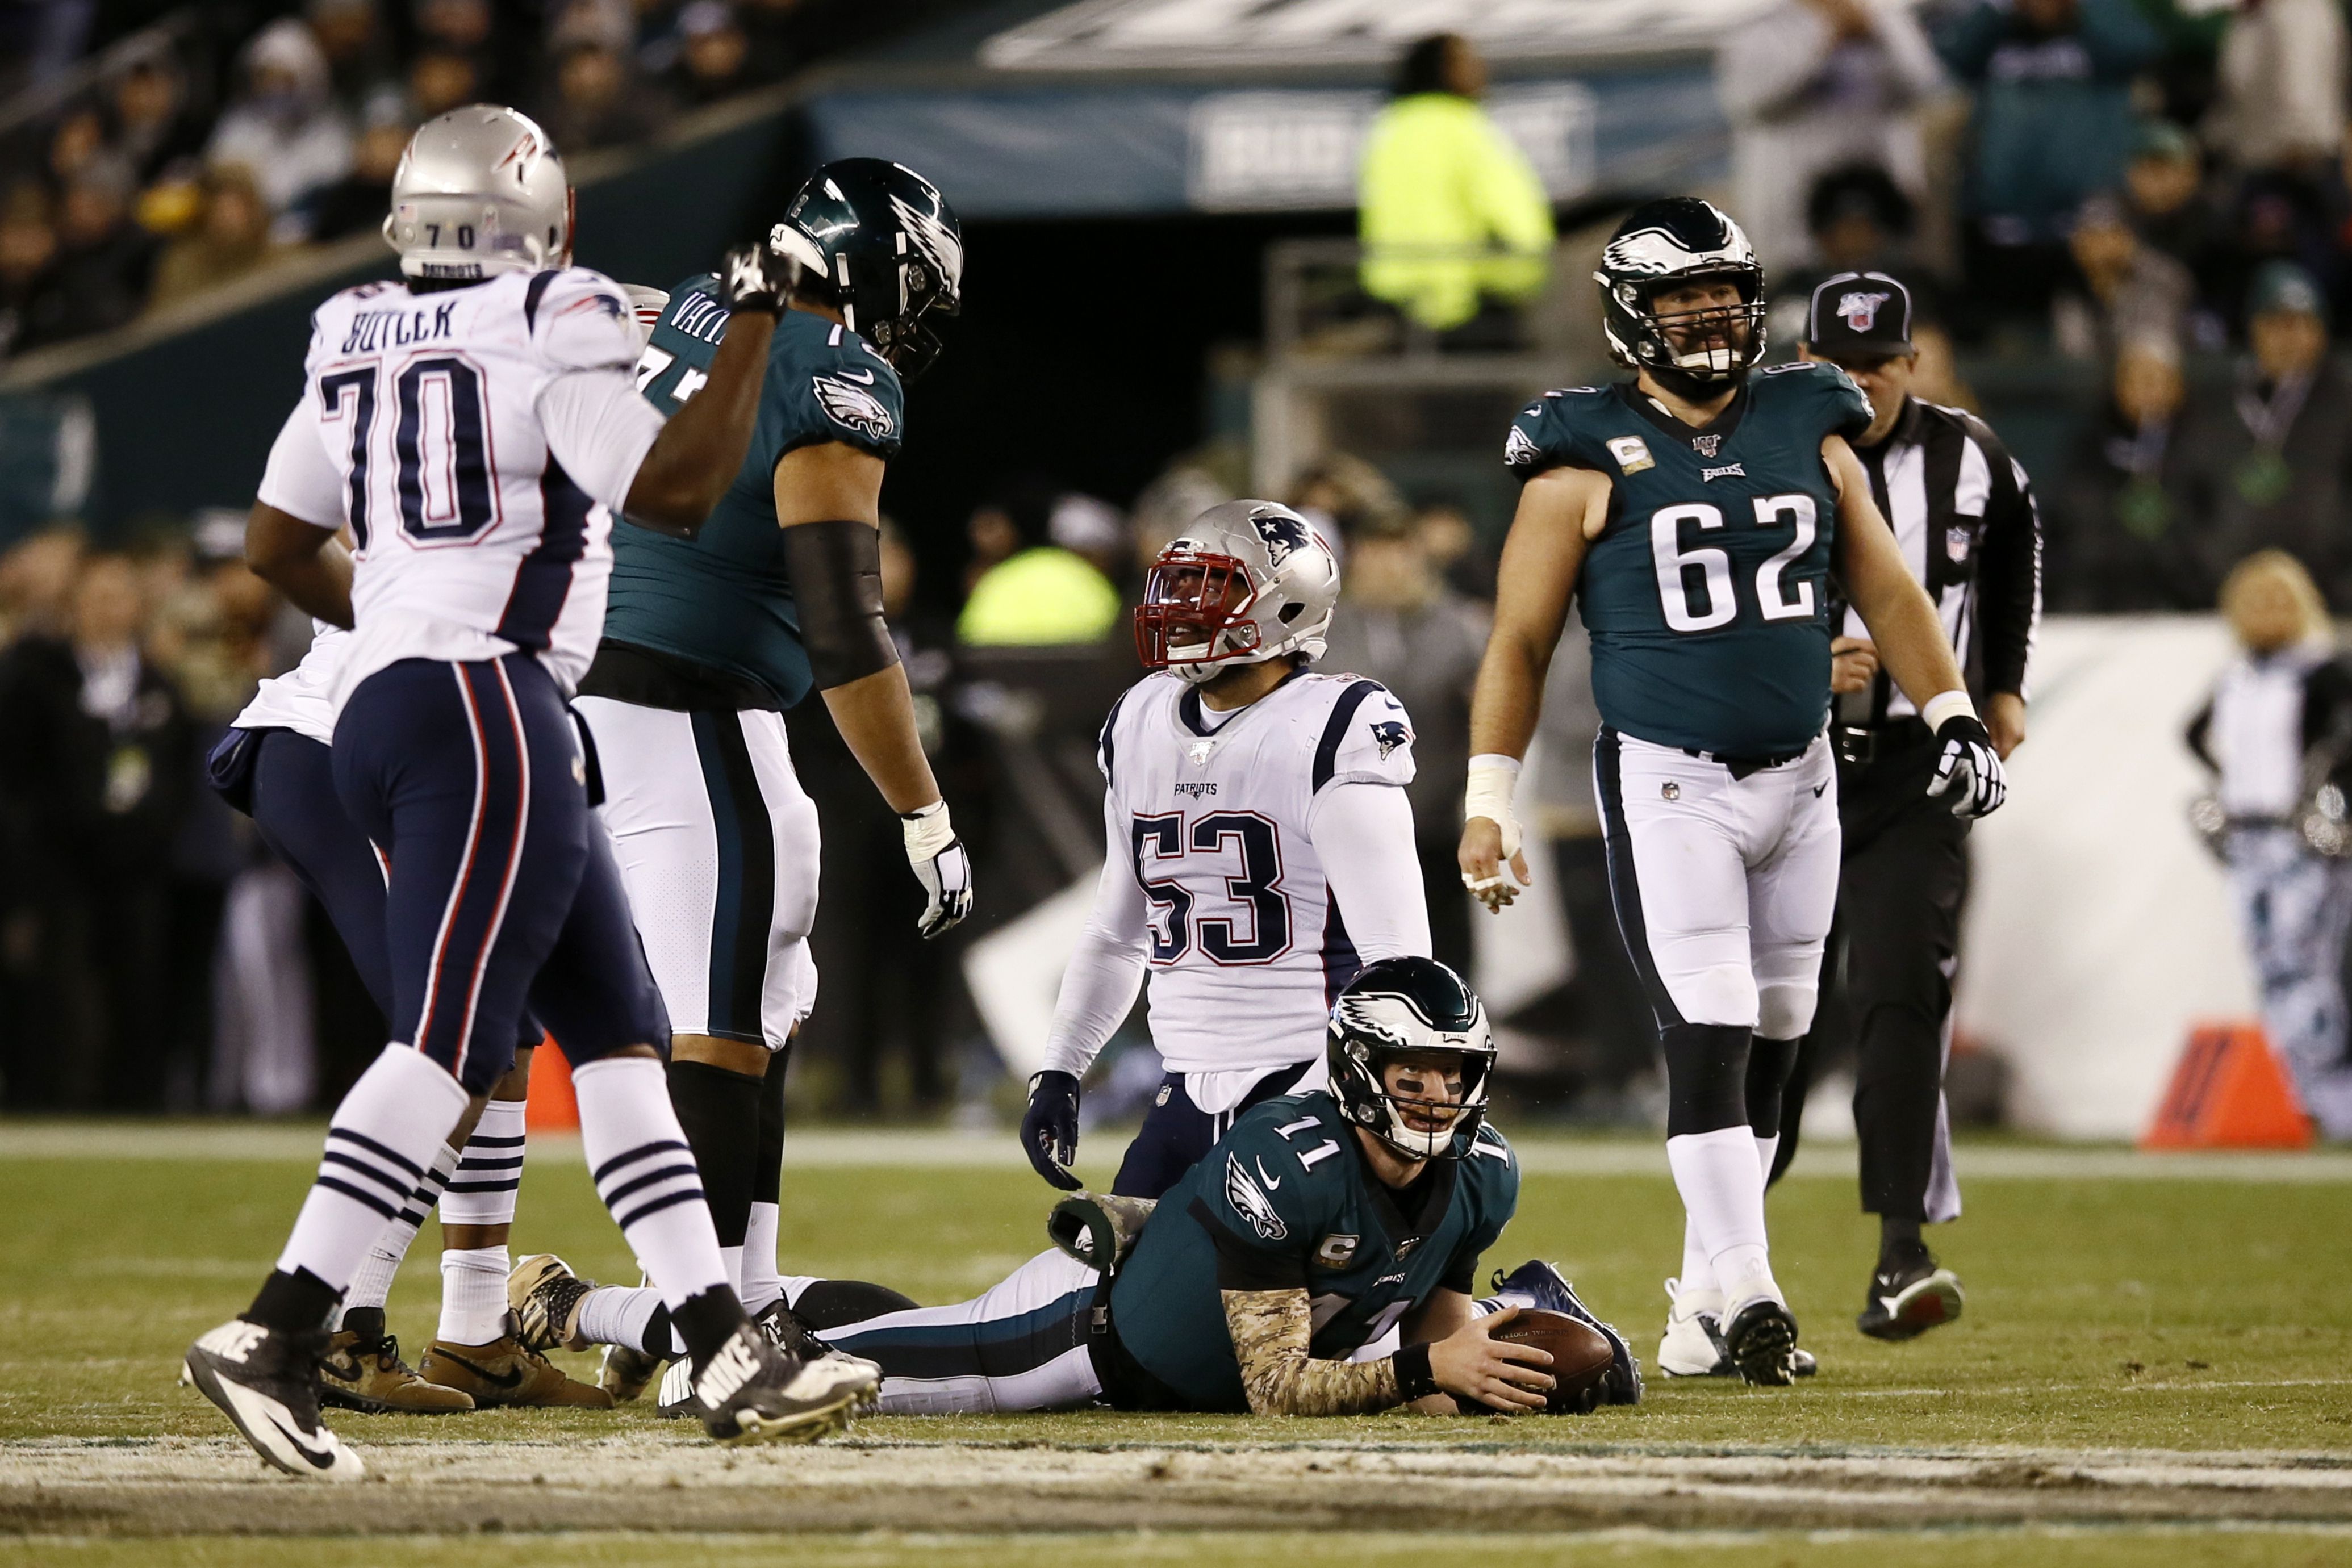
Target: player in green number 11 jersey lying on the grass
pixel 1318 1224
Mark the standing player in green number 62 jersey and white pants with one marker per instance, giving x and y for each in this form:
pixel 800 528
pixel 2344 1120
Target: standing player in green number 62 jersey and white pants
pixel 1697 514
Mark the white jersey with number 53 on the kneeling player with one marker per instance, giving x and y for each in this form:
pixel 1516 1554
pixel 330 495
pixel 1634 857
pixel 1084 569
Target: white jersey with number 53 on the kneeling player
pixel 1245 951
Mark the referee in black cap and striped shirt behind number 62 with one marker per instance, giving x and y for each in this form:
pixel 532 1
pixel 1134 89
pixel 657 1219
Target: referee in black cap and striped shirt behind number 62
pixel 1965 518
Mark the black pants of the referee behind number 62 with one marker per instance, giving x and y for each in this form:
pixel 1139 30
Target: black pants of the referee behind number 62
pixel 1887 977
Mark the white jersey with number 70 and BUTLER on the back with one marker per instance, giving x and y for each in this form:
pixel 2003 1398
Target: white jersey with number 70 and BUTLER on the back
pixel 472 540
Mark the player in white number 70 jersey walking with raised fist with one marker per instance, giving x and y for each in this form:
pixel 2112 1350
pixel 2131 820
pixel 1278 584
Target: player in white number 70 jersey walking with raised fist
pixel 476 427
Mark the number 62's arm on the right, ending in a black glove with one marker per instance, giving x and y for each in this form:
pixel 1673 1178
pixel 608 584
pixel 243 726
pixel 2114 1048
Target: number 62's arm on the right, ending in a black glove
pixel 1909 641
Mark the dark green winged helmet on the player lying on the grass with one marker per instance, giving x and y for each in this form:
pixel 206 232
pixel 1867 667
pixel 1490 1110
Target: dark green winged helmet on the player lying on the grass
pixel 1410 1007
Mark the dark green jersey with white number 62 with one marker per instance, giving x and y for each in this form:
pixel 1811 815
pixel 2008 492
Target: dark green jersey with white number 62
pixel 1709 589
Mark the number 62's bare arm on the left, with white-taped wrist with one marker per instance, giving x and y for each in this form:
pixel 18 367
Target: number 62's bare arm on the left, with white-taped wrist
pixel 1558 516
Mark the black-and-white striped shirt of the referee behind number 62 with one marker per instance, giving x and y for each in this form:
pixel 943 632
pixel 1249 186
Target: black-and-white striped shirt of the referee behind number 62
pixel 1965 518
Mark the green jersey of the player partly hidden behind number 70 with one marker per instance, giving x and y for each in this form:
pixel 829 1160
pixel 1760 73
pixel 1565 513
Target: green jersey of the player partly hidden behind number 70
pixel 723 601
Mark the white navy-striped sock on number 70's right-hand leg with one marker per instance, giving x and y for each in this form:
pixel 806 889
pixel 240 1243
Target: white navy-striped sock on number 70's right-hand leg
pixel 646 1174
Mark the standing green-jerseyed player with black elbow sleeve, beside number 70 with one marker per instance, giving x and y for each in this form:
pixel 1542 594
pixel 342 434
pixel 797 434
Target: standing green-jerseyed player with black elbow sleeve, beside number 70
pixel 707 643
